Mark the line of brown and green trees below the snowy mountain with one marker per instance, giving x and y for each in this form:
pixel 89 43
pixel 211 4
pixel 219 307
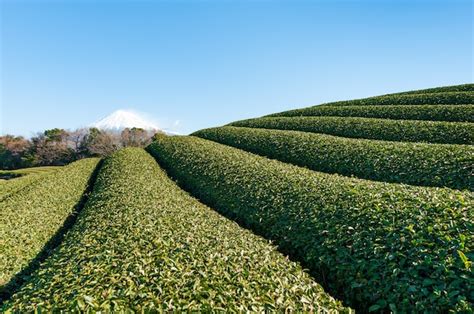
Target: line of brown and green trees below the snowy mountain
pixel 56 147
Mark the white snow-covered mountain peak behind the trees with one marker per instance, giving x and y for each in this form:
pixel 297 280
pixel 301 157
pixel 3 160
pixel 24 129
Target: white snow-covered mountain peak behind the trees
pixel 122 119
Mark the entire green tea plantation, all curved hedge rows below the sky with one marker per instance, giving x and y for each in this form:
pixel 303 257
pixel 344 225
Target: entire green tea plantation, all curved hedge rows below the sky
pixel 363 205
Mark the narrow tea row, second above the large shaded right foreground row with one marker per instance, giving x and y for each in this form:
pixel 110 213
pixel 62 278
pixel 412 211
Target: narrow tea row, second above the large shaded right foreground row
pixel 371 128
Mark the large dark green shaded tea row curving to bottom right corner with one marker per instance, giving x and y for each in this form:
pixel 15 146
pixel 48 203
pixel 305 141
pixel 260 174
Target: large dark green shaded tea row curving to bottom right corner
pixel 377 246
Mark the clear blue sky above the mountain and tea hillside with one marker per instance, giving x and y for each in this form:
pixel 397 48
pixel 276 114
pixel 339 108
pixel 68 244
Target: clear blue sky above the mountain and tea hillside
pixel 200 64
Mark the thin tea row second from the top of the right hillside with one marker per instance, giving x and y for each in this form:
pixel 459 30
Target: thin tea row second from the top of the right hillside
pixel 447 98
